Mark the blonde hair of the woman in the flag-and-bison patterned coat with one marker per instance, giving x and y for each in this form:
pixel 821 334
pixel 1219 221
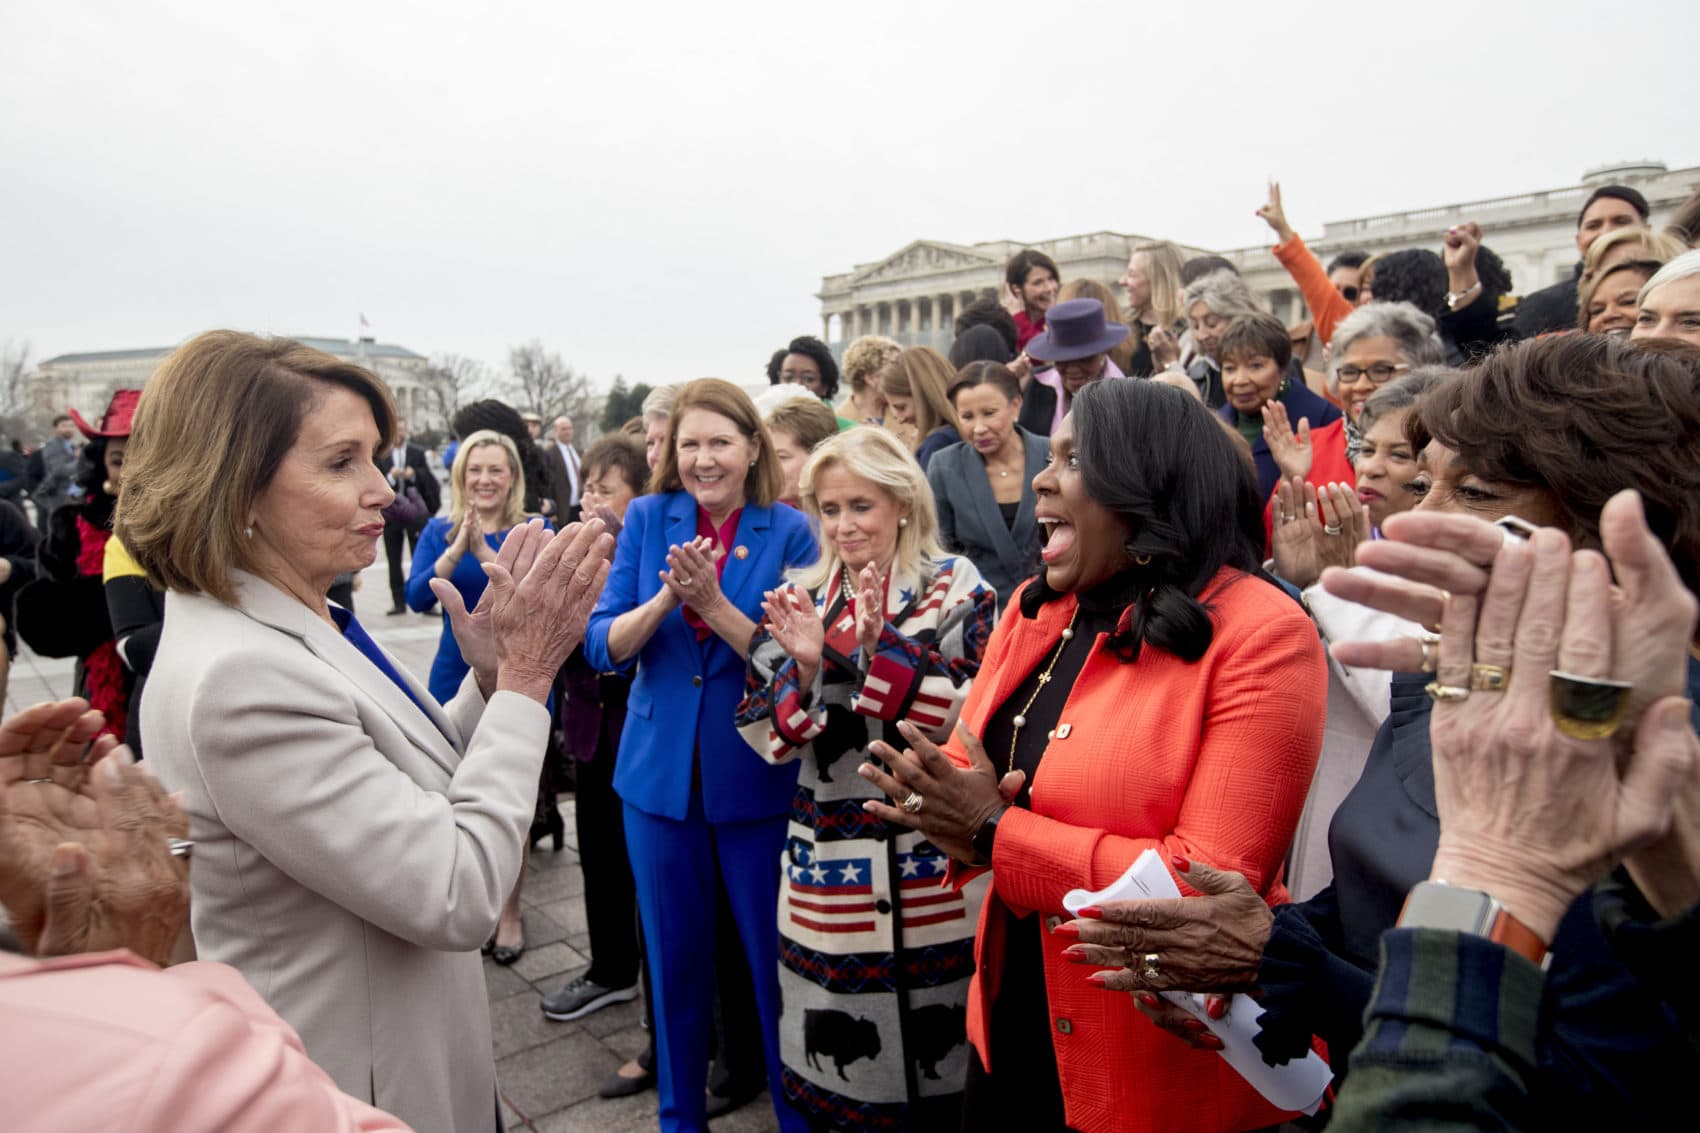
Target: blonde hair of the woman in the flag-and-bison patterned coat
pixel 880 458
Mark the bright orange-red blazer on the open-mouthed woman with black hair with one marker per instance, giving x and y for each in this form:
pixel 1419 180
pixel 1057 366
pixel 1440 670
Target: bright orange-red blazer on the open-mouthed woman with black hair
pixel 1208 760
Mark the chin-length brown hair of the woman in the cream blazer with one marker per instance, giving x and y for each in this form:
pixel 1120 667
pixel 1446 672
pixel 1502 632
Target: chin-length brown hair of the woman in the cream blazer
pixel 212 430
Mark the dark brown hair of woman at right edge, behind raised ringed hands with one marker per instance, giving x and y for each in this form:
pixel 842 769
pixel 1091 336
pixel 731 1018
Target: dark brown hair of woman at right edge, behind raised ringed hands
pixel 1582 418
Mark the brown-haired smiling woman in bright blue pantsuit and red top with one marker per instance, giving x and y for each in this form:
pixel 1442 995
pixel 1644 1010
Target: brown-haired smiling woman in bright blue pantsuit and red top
pixel 683 601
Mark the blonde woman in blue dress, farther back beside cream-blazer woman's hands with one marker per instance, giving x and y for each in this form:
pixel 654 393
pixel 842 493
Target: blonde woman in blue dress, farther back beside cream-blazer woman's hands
pixel 487 499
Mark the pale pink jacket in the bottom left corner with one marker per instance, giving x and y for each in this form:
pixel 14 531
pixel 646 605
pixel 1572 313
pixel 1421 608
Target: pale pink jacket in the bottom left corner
pixel 110 1042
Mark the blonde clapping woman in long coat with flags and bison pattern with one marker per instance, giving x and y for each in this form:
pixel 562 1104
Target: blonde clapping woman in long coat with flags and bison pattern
pixel 876 952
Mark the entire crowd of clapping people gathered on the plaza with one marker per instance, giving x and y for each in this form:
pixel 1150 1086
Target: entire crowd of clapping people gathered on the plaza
pixel 1376 632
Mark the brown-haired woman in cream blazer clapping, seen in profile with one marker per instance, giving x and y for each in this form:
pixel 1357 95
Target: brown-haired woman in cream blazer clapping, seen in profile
pixel 354 841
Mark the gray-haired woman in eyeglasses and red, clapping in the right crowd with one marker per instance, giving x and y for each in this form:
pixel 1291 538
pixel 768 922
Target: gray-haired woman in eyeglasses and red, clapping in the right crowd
pixel 1371 348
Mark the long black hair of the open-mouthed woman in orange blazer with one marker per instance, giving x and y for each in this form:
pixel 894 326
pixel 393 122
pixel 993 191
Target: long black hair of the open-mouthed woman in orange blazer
pixel 1159 458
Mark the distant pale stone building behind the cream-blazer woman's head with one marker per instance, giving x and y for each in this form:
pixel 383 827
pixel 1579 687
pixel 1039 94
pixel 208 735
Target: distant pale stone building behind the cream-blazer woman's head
pixel 88 380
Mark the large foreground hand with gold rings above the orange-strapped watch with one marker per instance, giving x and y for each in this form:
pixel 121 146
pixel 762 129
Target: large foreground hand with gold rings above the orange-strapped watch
pixel 1529 812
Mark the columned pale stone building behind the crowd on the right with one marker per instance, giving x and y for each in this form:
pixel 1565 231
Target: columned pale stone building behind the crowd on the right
pixel 915 293
